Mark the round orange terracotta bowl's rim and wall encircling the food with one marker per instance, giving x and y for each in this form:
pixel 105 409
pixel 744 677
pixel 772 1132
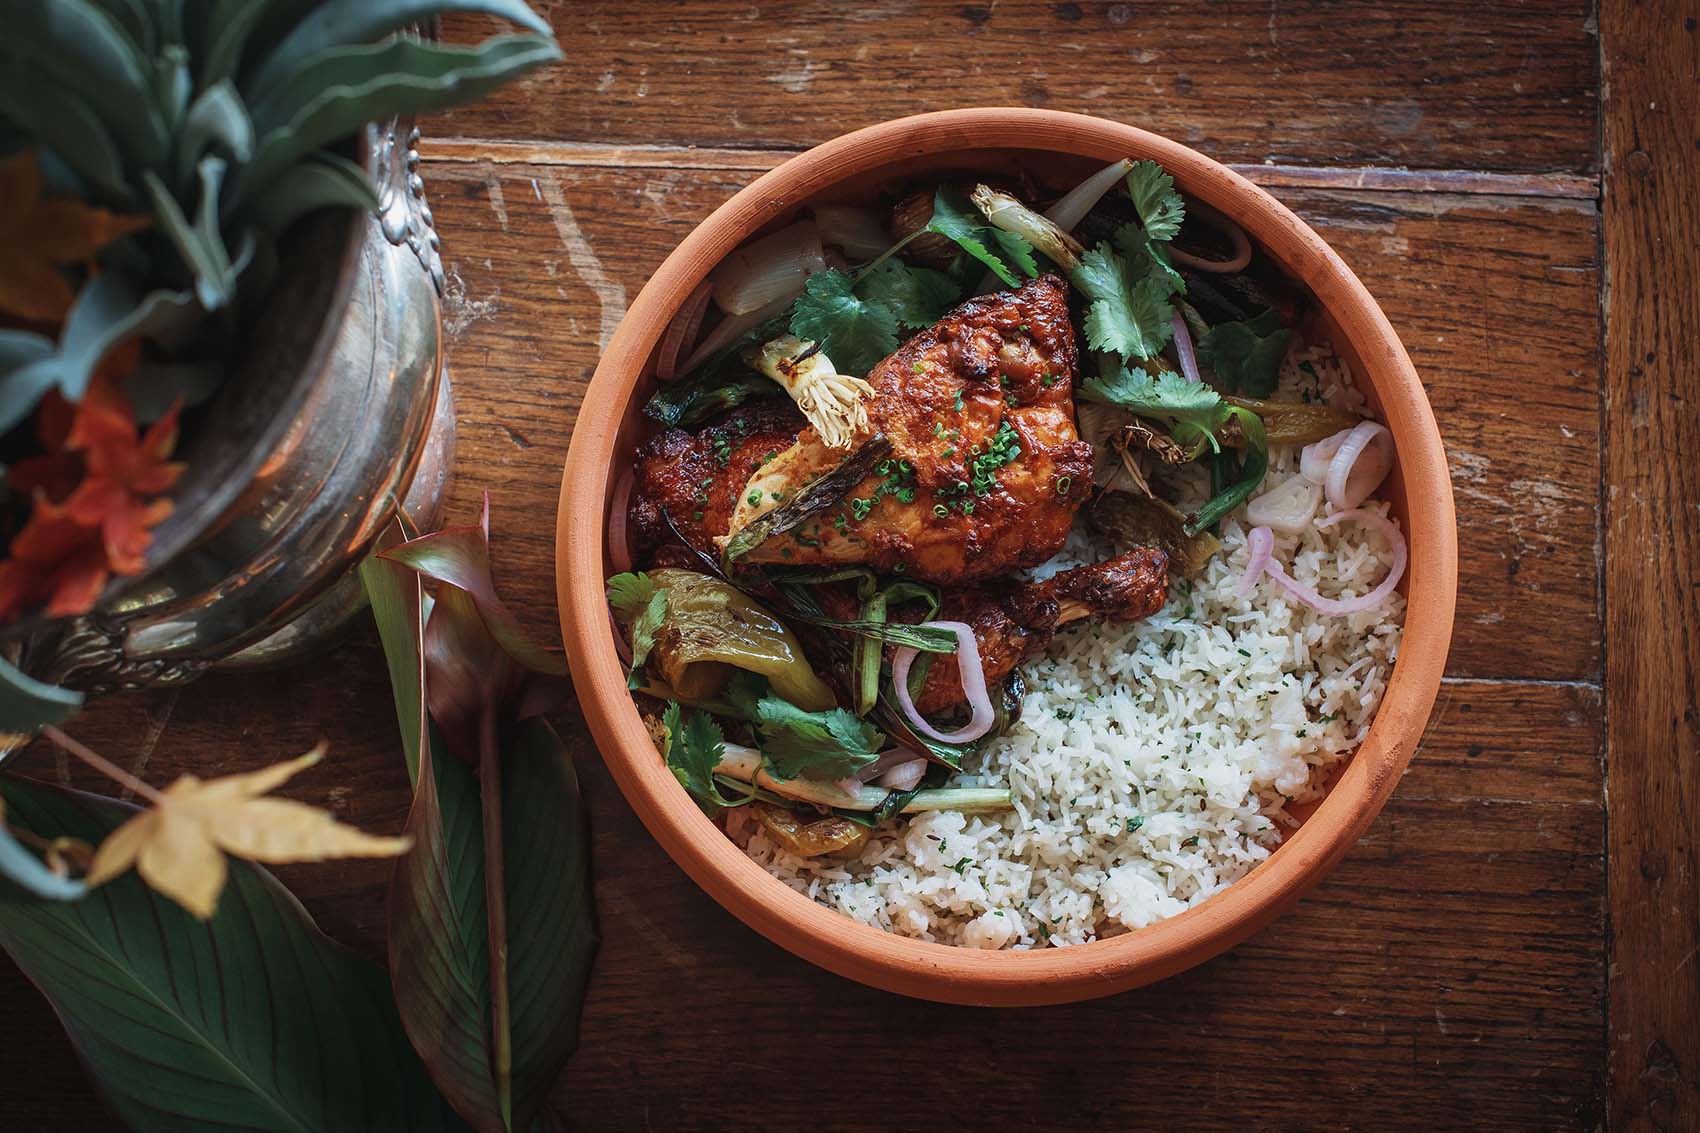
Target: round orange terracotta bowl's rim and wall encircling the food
pixel 1060 151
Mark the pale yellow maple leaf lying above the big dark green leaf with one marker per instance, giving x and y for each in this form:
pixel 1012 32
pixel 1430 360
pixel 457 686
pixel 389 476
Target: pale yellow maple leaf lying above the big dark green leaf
pixel 179 845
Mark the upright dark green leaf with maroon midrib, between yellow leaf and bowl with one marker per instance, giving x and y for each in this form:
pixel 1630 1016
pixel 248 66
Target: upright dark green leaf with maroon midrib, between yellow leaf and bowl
pixel 494 1059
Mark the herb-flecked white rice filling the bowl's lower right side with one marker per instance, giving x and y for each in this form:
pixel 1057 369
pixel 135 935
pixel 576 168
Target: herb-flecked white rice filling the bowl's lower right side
pixel 1153 763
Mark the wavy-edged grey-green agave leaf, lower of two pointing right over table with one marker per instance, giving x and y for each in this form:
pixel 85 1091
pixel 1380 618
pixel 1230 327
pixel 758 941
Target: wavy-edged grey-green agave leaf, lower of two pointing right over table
pixel 339 111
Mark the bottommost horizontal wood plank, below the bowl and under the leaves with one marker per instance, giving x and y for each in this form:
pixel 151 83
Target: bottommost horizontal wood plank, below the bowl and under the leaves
pixel 1461 942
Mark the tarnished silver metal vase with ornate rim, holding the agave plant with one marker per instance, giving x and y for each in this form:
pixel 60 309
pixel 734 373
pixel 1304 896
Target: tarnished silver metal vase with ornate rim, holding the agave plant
pixel 337 414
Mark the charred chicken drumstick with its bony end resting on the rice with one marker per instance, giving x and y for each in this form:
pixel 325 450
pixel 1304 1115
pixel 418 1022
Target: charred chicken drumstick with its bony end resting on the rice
pixel 1016 622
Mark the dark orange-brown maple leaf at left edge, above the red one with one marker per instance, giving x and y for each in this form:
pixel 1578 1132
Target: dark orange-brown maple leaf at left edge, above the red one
pixel 40 236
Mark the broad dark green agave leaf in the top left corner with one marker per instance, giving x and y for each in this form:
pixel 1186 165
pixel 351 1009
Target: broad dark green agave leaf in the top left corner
pixel 88 54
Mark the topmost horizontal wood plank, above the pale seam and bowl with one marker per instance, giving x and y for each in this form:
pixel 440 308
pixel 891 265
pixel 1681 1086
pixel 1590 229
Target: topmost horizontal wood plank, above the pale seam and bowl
pixel 1451 84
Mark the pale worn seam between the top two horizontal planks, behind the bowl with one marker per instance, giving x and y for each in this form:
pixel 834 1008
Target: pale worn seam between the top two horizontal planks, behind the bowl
pixel 599 156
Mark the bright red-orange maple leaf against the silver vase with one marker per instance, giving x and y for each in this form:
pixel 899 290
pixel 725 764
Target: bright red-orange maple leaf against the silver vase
pixel 98 496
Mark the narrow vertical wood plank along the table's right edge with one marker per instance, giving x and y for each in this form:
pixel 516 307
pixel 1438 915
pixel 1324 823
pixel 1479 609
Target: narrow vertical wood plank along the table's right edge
pixel 1653 540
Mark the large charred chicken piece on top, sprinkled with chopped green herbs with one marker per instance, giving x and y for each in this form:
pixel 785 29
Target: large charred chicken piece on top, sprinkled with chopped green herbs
pixel 985 469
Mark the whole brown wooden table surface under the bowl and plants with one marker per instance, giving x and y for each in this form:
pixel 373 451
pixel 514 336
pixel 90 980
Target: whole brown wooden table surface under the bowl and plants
pixel 1517 185
